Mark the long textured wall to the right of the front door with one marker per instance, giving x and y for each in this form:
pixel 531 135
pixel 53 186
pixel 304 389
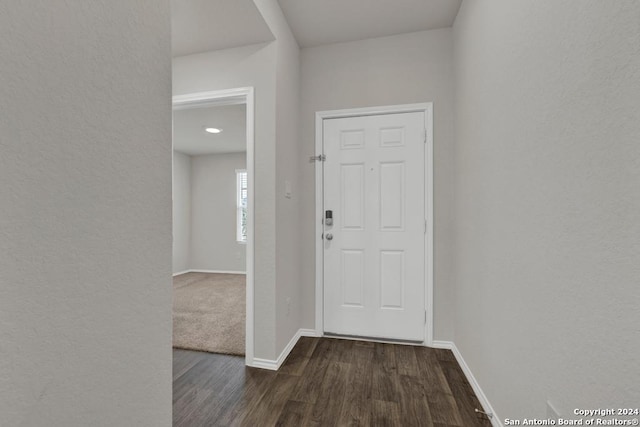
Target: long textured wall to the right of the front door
pixel 547 202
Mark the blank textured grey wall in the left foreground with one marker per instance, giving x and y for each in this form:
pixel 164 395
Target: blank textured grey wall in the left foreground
pixel 85 217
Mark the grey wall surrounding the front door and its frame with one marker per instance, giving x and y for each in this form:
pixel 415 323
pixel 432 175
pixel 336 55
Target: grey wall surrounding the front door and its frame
pixel 409 68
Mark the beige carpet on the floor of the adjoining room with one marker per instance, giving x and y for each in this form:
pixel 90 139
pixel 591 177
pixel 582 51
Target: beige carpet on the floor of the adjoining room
pixel 209 312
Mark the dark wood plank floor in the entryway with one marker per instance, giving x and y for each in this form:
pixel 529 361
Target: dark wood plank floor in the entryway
pixel 326 382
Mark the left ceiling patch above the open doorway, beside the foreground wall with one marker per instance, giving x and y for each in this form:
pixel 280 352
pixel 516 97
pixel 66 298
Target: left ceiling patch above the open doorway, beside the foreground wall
pixel 203 25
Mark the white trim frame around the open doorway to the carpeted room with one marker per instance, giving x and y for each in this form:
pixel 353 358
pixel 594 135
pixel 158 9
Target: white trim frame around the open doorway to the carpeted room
pixel 244 95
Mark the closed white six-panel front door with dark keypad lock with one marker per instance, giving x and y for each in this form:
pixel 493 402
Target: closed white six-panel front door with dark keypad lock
pixel 374 253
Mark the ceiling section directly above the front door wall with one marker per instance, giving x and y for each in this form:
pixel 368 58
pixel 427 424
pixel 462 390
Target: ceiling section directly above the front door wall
pixel 317 22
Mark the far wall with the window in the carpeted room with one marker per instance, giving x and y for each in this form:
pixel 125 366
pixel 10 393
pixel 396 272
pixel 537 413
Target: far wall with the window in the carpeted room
pixel 213 213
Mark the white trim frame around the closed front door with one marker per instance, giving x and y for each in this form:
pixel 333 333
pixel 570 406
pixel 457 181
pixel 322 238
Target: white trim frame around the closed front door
pixel 427 109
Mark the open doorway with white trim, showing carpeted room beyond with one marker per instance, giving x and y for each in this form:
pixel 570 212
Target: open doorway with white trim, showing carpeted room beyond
pixel 213 200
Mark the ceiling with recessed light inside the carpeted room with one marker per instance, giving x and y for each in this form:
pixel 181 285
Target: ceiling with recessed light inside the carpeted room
pixel 190 138
